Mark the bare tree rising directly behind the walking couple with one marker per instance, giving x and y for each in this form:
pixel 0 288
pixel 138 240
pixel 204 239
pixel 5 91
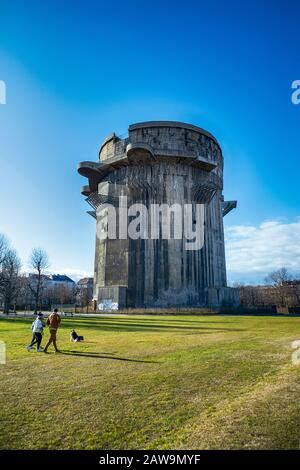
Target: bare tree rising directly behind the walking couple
pixel 39 262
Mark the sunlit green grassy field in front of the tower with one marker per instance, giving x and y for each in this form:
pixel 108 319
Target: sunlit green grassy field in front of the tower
pixel 180 382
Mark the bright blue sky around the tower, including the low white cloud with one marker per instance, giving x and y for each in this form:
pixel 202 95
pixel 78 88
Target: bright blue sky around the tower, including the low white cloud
pixel 76 71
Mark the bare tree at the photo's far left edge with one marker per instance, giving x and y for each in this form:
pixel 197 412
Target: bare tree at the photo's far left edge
pixel 10 271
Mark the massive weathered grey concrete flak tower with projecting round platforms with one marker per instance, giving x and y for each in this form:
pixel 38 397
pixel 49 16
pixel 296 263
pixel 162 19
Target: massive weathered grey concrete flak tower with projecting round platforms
pixel 160 164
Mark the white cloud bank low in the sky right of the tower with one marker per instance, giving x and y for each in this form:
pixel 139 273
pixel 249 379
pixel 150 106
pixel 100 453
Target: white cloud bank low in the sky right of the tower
pixel 254 251
